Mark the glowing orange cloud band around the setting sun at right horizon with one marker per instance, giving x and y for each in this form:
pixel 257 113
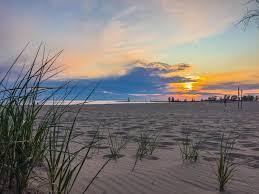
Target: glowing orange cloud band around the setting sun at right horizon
pixel 216 83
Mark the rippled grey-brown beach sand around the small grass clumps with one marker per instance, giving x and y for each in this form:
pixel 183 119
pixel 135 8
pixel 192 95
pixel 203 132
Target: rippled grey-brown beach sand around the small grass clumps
pixel 165 172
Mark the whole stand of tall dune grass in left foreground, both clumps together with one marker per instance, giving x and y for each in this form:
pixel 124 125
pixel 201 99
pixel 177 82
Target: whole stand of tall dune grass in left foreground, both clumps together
pixel 32 134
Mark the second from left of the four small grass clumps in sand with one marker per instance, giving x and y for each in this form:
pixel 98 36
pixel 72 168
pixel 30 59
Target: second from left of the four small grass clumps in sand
pixel 147 143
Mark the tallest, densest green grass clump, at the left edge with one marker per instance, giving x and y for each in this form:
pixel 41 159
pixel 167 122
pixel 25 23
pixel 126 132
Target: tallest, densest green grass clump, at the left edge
pixel 22 144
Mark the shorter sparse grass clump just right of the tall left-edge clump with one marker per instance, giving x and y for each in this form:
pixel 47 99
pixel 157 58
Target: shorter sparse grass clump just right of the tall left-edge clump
pixel 63 162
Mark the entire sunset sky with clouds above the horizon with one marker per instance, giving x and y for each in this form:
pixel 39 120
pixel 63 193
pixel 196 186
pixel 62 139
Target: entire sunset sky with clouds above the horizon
pixel 142 49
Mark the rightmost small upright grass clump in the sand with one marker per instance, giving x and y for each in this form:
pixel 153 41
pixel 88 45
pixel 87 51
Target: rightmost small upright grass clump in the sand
pixel 225 165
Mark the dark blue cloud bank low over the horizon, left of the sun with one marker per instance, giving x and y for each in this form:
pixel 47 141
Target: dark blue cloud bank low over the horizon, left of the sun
pixel 141 80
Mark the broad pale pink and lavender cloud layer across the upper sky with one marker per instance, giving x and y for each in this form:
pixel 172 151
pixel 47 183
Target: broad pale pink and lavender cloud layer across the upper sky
pixel 99 37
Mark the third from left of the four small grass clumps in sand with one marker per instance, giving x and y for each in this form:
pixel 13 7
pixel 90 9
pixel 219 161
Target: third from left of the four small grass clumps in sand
pixel 189 149
